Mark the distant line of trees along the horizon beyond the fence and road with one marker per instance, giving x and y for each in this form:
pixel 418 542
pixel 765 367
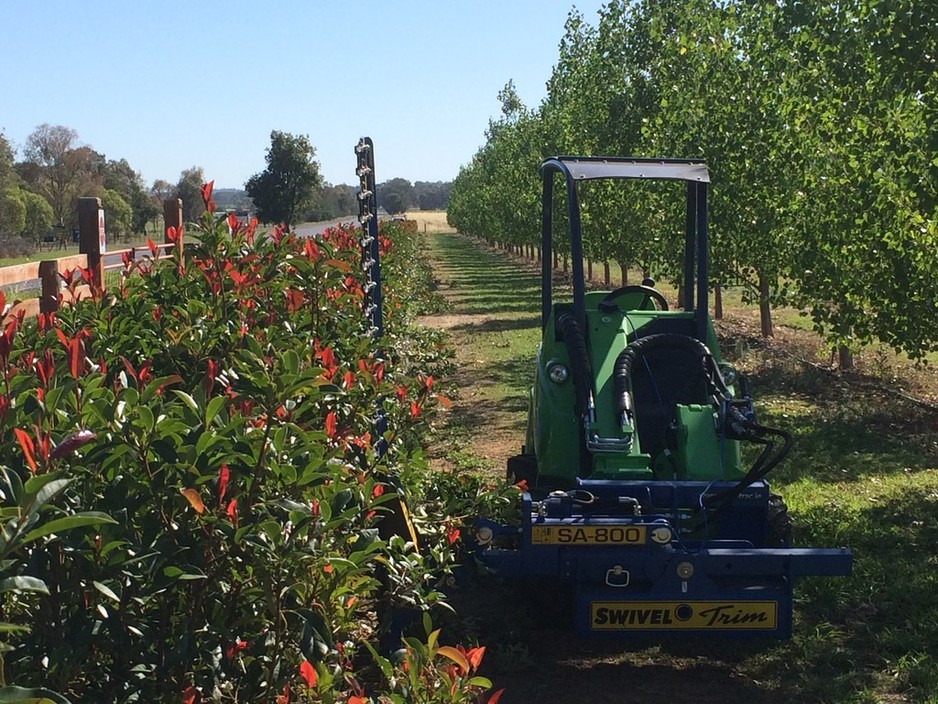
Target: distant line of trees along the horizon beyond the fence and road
pixel 39 192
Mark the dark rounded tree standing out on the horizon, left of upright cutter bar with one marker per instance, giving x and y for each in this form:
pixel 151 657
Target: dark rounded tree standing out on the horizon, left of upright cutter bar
pixel 288 188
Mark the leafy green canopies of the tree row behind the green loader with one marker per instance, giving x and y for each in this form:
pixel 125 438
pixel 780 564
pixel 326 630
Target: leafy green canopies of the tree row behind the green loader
pixel 817 121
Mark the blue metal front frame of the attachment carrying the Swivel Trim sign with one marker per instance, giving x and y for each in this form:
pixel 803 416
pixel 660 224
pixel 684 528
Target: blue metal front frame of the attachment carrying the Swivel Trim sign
pixel 642 582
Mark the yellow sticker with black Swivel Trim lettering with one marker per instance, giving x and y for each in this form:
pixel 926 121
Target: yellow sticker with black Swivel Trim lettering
pixel 667 615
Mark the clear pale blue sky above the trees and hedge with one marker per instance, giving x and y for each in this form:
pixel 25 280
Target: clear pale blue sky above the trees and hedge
pixel 169 85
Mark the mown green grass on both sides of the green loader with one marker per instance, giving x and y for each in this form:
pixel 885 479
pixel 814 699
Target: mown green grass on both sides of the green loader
pixel 862 474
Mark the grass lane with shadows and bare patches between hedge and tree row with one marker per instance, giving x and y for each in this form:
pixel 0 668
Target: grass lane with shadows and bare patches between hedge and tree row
pixel 862 475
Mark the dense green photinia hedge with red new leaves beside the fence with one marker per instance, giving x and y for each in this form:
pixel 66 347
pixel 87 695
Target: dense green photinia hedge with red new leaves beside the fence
pixel 209 428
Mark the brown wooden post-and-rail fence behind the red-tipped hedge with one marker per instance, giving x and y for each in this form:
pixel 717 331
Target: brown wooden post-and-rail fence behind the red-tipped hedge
pixel 93 259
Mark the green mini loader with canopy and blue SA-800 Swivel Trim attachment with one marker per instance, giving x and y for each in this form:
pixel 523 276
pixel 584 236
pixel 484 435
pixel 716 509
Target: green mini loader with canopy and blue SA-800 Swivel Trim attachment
pixel 633 487
